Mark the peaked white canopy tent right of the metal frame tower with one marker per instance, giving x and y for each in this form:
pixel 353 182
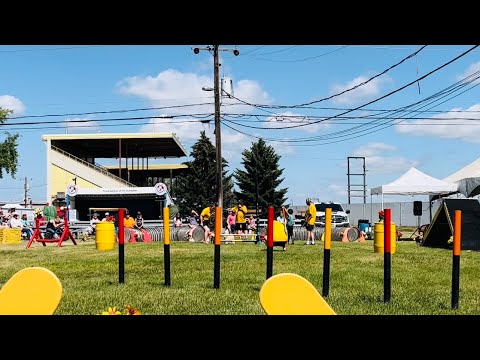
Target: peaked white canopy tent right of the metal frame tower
pixel 415 182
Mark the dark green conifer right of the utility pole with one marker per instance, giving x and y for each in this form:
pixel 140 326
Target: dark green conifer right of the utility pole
pixel 262 168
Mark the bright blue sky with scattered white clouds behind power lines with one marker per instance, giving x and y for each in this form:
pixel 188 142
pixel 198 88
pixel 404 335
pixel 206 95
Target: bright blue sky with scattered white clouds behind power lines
pixel 415 126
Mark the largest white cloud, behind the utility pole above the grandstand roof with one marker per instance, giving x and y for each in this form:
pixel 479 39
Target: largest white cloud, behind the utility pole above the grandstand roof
pixel 174 87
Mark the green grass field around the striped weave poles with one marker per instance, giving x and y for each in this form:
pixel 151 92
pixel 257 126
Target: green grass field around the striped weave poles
pixel 421 280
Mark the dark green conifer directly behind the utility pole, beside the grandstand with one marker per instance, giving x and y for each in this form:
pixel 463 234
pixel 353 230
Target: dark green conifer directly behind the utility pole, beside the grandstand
pixel 197 186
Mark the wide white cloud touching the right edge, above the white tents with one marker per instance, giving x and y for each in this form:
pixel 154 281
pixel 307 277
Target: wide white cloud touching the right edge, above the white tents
pixel 448 125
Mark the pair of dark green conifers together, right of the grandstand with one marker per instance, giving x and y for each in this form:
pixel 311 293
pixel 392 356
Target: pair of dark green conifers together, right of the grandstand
pixel 257 184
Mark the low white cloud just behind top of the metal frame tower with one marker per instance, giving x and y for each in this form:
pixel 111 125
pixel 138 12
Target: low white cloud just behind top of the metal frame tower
pixel 378 159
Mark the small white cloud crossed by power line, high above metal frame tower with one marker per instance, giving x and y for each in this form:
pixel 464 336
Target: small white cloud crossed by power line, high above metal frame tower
pixel 361 94
